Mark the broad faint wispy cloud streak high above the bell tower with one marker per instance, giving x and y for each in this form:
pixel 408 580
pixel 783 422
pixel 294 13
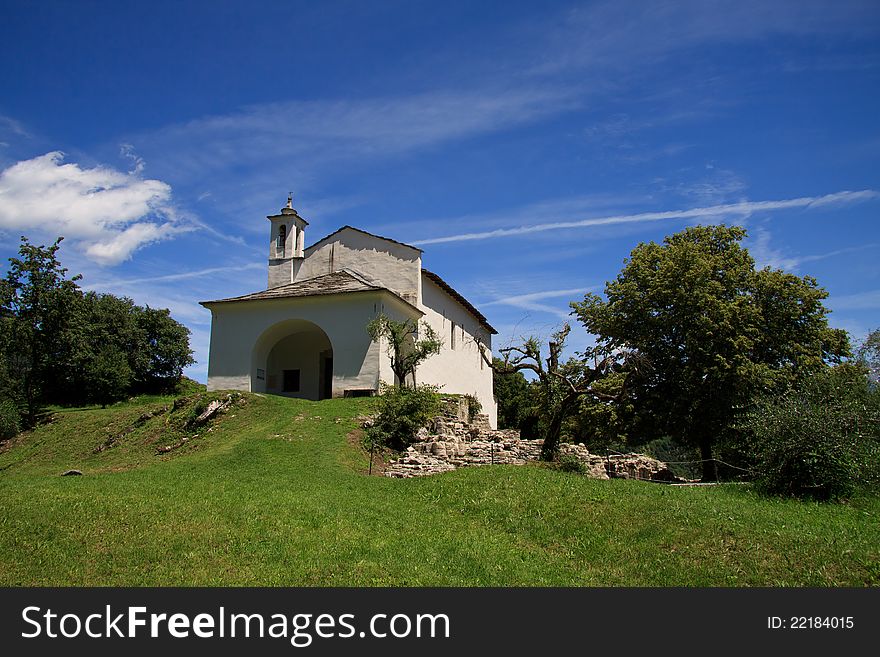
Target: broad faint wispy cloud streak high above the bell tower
pixel 319 132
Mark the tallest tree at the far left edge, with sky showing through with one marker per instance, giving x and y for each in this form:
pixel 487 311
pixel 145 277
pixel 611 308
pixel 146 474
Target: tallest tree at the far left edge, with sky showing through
pixel 38 306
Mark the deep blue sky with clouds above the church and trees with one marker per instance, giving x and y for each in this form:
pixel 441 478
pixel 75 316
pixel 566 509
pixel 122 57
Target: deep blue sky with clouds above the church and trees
pixel 526 147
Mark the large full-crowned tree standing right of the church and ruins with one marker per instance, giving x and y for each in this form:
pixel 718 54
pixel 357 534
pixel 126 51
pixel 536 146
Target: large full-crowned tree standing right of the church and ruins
pixel 714 330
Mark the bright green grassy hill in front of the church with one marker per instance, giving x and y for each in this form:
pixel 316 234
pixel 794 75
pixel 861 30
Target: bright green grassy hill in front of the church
pixel 273 493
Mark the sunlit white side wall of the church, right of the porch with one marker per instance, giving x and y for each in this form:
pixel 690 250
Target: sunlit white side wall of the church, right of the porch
pixel 461 369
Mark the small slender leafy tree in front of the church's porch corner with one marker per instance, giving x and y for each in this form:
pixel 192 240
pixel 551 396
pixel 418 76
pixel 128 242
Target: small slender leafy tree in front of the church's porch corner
pixel 405 346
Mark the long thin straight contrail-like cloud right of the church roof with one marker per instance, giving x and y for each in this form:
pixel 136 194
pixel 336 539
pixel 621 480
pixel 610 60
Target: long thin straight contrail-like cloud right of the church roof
pixel 714 212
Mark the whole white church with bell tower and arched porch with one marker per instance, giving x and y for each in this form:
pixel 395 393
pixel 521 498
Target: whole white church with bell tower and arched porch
pixel 305 335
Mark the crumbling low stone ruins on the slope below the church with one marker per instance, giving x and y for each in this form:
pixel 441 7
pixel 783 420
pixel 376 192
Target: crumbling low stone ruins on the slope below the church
pixel 452 442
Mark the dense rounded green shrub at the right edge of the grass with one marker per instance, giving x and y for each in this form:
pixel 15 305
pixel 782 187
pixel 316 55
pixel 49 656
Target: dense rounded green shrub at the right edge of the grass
pixel 820 440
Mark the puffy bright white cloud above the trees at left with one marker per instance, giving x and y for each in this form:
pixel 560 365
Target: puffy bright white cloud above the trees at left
pixel 106 213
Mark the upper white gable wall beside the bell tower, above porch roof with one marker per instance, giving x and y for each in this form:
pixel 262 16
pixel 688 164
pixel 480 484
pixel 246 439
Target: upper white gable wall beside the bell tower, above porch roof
pixel 395 266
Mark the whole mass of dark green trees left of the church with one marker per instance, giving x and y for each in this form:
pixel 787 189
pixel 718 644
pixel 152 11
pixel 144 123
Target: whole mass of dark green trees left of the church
pixel 61 346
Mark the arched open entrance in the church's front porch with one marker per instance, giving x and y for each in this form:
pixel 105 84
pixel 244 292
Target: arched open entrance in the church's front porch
pixel 293 358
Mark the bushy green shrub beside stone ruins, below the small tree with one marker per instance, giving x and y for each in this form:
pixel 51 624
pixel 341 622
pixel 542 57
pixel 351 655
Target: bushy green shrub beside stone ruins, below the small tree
pixel 402 412
